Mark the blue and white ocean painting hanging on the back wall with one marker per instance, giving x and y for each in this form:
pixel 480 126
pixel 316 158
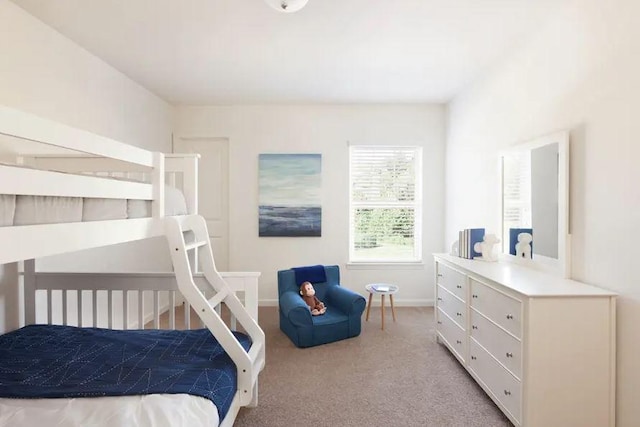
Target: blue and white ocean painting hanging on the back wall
pixel 290 195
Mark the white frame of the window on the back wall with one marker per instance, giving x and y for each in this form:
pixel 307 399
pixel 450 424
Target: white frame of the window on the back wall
pixel 416 205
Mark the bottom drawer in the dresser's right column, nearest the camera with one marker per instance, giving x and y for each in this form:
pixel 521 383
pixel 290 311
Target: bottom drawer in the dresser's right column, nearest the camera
pixel 504 386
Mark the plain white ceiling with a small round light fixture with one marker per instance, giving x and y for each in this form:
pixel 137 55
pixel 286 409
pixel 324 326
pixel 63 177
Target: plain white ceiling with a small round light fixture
pixel 206 52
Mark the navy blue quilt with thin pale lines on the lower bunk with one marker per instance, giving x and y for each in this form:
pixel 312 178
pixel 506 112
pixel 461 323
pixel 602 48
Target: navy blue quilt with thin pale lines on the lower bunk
pixel 48 361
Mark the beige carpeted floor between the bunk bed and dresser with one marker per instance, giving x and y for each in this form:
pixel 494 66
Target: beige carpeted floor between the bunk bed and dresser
pixel 396 377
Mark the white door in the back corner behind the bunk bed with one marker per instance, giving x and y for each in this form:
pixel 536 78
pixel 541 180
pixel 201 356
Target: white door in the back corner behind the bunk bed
pixel 213 189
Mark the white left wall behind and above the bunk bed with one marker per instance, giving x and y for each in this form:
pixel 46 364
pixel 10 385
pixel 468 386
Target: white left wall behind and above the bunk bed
pixel 44 73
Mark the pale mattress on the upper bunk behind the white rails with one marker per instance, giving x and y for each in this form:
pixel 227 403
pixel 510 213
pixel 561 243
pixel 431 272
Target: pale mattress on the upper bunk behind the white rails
pixel 30 210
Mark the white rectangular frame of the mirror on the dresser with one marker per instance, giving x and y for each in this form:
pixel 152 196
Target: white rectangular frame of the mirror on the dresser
pixel 562 265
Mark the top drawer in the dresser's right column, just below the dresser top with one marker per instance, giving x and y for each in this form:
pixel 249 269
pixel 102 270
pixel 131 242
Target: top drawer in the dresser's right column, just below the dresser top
pixel 501 308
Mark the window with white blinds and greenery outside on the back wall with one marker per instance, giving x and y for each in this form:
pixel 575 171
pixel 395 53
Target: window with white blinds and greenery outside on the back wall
pixel 385 204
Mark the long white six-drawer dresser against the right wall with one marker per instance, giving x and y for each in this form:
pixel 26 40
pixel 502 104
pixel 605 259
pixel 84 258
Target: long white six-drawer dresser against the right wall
pixel 541 347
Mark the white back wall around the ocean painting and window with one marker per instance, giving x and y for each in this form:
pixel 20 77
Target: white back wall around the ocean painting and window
pixel 321 129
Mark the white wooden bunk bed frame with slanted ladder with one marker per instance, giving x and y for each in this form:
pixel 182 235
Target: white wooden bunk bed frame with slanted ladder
pixel 61 169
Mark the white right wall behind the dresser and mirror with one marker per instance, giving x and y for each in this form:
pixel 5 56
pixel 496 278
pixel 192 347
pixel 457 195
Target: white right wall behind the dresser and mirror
pixel 582 73
